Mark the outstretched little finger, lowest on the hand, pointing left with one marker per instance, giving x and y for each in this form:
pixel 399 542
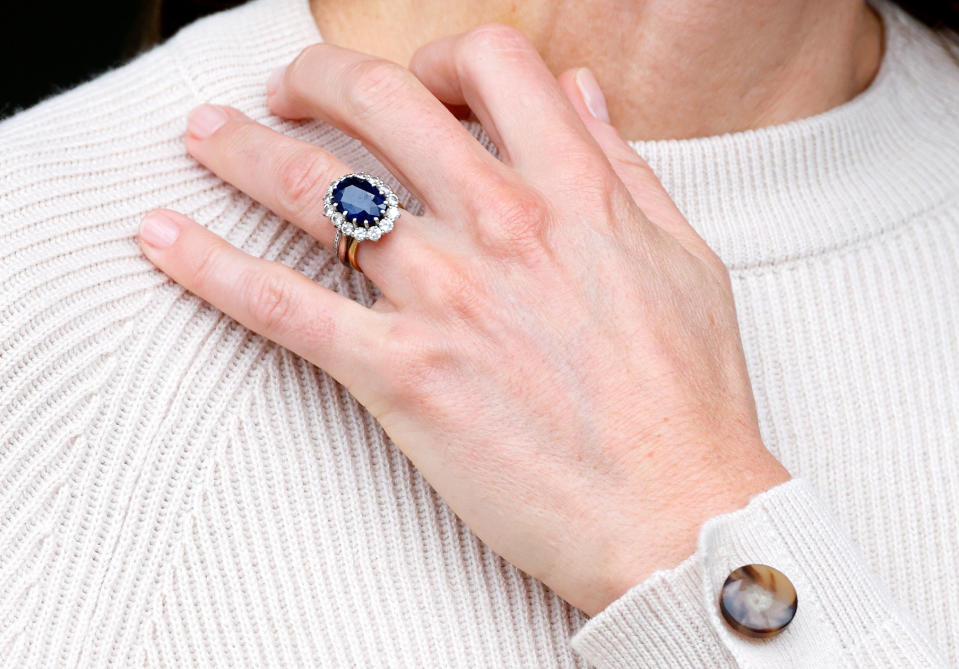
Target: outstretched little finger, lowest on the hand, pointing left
pixel 331 331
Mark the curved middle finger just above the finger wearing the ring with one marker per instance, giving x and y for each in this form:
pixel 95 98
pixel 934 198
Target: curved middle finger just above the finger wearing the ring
pixel 384 105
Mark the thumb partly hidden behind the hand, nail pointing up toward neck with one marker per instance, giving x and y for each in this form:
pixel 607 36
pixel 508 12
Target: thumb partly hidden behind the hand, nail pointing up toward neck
pixel 583 91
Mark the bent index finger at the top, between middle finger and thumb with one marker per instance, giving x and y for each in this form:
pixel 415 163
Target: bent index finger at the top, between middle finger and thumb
pixel 497 72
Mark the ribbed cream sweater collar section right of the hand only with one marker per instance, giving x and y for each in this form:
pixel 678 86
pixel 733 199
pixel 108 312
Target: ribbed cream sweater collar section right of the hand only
pixel 830 181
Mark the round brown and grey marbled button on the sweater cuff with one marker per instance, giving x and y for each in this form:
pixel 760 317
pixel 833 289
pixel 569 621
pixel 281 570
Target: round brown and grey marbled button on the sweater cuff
pixel 758 601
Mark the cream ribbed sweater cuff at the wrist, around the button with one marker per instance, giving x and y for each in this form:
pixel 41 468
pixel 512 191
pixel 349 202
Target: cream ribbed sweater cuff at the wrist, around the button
pixel 672 618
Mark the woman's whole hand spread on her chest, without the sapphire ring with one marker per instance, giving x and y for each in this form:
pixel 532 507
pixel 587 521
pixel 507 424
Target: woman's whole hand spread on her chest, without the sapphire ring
pixel 556 349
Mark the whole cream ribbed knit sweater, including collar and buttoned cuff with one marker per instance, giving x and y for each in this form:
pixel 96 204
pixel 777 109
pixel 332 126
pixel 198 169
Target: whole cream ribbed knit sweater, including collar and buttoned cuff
pixel 178 491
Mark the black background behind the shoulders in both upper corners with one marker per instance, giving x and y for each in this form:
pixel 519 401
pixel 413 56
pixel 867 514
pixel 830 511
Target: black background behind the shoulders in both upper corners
pixel 48 46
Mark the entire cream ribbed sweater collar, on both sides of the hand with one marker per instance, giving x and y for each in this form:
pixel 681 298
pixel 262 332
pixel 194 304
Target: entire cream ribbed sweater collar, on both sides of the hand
pixel 759 197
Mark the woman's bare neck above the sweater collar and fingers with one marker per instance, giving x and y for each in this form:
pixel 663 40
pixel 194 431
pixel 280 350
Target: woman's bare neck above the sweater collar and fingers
pixel 669 68
